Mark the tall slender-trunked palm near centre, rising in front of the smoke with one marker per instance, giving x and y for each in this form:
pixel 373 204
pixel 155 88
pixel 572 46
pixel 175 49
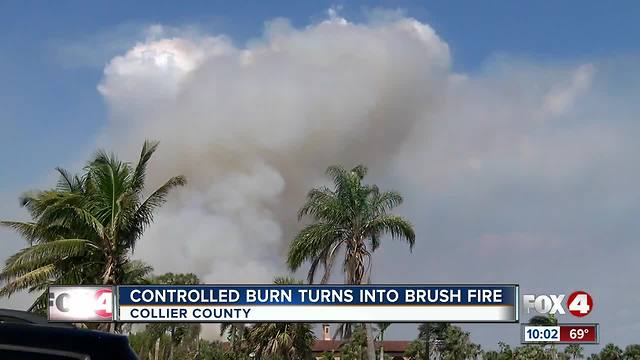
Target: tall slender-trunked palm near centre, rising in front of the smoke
pixel 353 216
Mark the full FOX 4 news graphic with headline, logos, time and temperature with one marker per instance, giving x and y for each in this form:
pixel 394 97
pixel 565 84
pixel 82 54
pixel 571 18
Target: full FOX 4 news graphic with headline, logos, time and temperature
pixel 480 303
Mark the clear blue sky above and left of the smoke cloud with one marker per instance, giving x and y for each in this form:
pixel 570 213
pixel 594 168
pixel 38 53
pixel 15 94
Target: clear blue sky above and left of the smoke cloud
pixel 45 103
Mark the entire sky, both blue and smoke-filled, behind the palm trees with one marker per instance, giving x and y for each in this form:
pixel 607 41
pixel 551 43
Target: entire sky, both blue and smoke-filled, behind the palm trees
pixel 531 125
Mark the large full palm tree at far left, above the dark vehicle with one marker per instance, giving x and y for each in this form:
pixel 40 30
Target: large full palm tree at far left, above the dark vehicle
pixel 84 230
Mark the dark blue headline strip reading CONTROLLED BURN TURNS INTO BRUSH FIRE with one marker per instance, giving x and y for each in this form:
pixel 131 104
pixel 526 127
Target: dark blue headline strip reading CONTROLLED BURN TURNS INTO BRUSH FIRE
pixel 318 295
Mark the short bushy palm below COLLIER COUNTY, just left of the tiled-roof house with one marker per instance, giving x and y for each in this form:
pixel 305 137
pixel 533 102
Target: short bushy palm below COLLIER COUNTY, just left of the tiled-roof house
pixel 287 340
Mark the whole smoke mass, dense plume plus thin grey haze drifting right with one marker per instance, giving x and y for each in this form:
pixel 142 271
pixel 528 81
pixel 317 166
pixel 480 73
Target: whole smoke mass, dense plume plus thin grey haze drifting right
pixel 490 162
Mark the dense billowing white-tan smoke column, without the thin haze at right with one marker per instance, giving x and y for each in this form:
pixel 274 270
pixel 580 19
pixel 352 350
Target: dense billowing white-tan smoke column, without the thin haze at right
pixel 253 129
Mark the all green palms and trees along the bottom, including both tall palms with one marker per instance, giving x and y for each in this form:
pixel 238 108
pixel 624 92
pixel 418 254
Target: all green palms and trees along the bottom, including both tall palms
pixel 85 229
